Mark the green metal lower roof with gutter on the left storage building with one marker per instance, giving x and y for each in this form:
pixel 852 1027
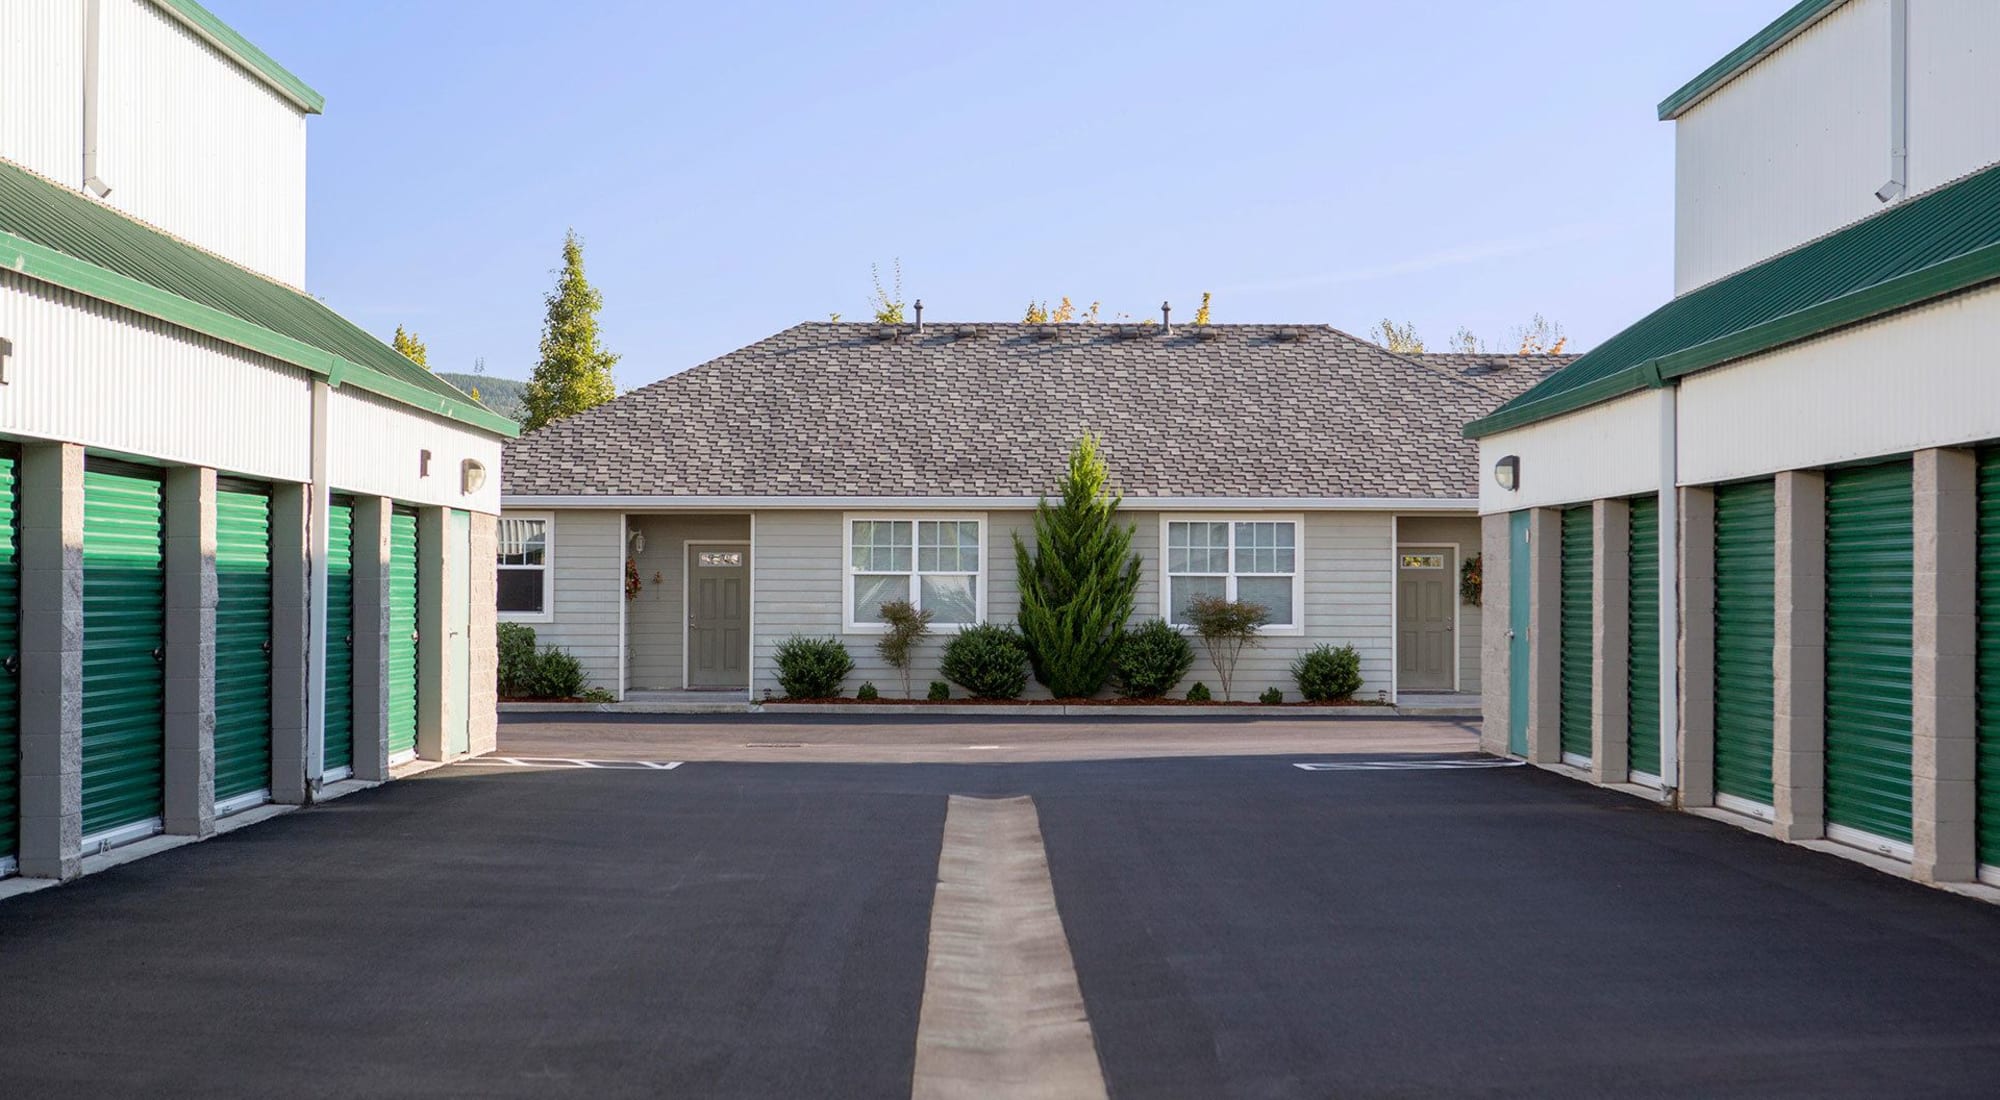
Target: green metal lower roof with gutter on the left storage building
pixel 61 237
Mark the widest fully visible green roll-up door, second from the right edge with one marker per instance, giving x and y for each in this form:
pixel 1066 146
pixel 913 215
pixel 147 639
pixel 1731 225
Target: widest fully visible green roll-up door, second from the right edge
pixel 1869 601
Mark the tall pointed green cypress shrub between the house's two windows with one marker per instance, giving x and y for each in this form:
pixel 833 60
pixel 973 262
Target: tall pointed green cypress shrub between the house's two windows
pixel 1077 585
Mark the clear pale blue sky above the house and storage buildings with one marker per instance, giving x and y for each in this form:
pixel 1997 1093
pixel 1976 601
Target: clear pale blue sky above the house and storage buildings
pixel 737 167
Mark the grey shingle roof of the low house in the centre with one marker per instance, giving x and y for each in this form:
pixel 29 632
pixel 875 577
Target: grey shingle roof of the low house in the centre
pixel 991 411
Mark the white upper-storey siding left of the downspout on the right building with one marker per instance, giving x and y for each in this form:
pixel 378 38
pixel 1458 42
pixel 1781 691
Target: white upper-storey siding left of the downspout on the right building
pixel 1789 151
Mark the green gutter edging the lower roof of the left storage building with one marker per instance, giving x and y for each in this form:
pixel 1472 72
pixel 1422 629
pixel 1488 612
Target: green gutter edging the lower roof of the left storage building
pixel 91 281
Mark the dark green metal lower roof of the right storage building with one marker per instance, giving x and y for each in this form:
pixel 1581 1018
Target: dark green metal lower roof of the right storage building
pixel 1927 247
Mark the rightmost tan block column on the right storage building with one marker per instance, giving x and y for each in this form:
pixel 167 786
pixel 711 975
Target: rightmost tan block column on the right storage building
pixel 1945 675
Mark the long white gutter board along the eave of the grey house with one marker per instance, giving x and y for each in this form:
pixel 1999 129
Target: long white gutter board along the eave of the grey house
pixel 991 503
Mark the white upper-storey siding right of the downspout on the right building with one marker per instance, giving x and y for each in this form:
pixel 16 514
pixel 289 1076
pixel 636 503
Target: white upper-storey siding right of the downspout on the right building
pixel 1955 89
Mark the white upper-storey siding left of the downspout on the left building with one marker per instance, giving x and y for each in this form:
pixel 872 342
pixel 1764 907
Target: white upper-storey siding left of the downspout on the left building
pixel 43 87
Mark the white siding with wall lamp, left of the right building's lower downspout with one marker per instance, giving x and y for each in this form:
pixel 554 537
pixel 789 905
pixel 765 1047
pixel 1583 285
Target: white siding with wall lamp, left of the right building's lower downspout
pixel 1609 449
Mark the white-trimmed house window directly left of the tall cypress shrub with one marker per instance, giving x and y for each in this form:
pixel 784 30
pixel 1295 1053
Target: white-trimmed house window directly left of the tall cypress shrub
pixel 937 563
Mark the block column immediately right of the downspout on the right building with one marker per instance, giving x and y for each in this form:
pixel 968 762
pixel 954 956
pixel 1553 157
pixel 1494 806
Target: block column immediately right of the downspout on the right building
pixel 1697 647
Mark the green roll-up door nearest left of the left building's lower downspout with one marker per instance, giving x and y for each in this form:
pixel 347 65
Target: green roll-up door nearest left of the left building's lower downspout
pixel 243 639
